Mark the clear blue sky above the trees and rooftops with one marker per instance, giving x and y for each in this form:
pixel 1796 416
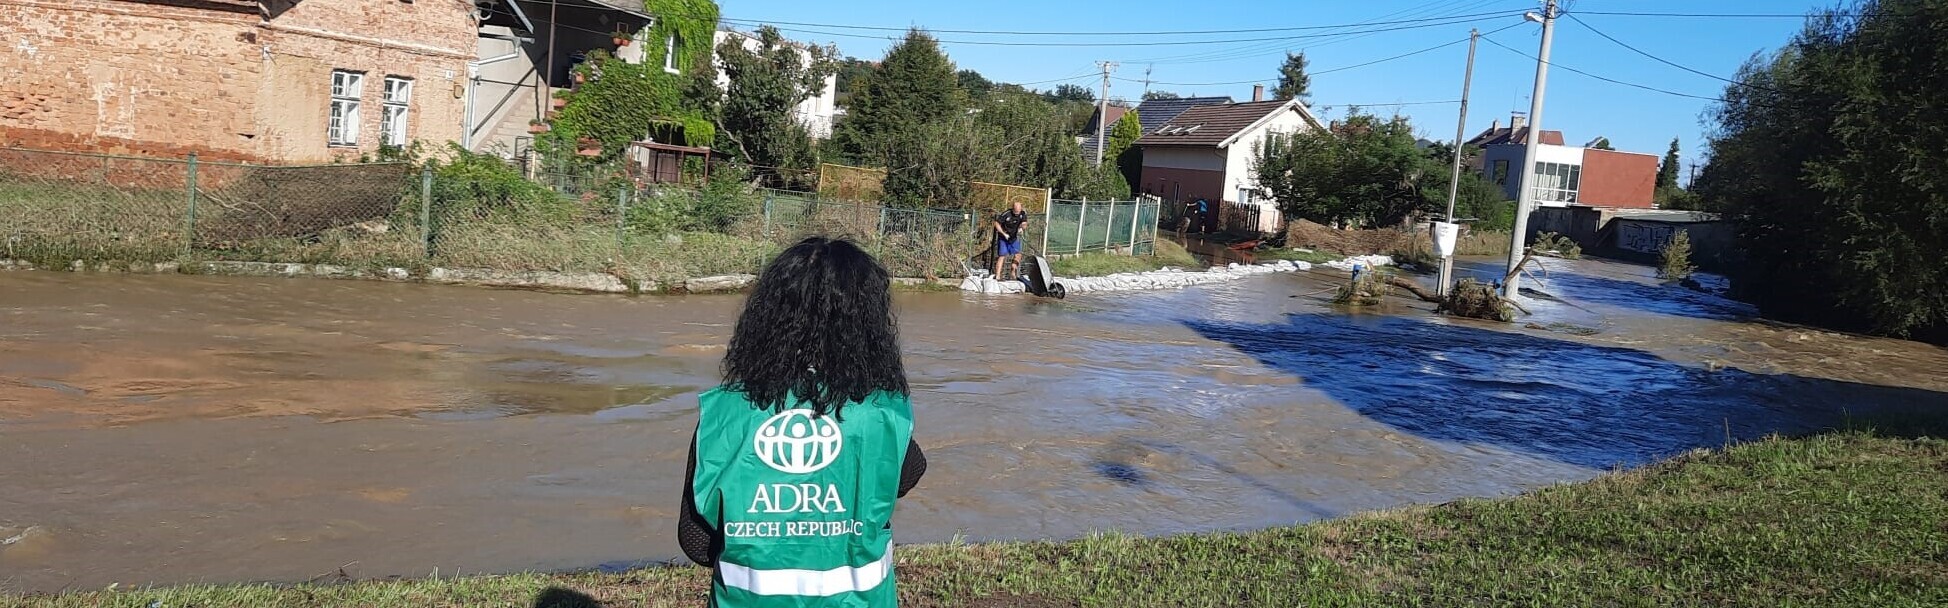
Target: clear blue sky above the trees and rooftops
pixel 1583 108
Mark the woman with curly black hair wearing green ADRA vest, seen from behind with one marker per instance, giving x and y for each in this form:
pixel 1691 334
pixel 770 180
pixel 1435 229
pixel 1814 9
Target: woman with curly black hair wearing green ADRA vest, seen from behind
pixel 804 451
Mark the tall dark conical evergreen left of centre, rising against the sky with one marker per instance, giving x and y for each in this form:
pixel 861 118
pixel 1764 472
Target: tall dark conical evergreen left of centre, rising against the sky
pixel 893 114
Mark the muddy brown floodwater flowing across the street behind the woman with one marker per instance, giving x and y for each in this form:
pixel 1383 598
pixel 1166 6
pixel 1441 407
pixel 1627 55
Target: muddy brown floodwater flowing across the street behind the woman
pixel 207 430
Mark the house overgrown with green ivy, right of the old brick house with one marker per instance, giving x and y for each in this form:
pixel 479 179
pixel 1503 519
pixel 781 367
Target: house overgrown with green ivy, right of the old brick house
pixel 589 79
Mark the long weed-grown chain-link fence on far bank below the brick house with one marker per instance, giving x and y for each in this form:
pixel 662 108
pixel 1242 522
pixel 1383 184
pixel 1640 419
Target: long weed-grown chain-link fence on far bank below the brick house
pixel 59 208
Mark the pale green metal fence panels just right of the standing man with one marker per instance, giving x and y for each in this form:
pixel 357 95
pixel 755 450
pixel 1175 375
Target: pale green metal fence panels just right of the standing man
pixel 1080 227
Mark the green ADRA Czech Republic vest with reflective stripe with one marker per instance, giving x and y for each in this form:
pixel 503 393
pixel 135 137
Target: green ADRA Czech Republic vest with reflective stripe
pixel 804 504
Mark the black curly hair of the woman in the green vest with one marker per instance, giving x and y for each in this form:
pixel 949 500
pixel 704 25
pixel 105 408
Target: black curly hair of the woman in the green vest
pixel 819 328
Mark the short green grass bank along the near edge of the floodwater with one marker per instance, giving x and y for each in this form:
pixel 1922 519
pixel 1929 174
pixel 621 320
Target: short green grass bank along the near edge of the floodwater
pixel 1844 519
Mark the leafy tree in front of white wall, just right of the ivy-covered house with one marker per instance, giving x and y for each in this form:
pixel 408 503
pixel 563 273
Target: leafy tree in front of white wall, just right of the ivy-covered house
pixel 765 87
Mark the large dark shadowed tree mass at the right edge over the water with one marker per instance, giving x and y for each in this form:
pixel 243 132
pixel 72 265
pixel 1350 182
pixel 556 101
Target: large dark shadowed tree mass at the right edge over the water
pixel 1828 157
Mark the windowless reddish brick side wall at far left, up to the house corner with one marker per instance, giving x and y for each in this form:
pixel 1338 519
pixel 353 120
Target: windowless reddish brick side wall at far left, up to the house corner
pixel 130 79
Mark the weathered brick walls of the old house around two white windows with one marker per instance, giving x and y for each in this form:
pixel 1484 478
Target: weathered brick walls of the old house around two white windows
pixel 167 81
